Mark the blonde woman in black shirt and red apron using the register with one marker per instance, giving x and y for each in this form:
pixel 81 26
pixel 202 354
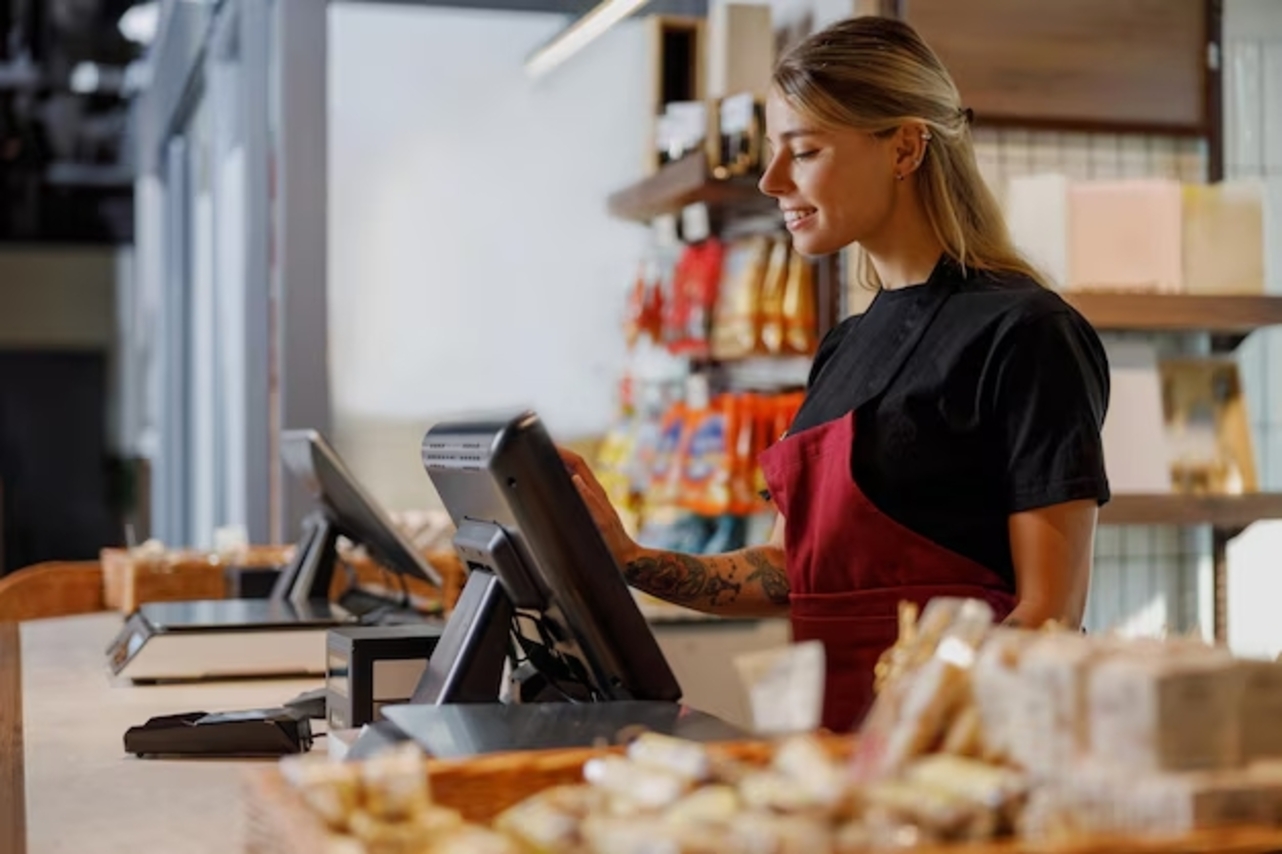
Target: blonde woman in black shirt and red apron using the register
pixel 949 443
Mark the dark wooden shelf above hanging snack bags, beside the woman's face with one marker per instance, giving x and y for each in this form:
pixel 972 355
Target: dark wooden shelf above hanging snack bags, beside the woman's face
pixel 685 183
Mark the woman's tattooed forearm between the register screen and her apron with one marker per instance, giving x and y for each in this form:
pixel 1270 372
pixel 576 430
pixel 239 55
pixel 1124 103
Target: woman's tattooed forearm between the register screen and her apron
pixel 713 584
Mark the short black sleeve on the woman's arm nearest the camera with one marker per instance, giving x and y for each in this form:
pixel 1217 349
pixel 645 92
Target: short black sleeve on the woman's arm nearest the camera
pixel 1049 402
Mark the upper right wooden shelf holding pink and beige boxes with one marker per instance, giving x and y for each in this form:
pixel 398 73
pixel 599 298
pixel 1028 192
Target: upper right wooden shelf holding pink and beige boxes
pixel 1178 312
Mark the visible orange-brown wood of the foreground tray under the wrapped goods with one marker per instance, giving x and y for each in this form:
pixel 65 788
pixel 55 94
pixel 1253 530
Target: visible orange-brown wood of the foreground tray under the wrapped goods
pixel 279 823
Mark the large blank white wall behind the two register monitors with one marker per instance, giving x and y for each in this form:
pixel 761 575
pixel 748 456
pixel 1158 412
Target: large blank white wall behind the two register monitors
pixel 472 265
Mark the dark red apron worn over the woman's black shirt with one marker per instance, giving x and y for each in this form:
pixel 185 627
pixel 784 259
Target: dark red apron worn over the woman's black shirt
pixel 849 565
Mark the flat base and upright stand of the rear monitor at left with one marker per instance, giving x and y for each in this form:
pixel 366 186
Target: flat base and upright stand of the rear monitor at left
pixel 284 635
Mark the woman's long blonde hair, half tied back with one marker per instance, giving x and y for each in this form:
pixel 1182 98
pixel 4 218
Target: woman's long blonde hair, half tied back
pixel 876 75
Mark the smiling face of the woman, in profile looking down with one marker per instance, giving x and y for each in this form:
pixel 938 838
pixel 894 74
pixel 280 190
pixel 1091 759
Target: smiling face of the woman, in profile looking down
pixel 835 188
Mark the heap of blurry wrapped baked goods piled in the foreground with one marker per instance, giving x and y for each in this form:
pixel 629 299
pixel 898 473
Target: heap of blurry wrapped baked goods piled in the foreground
pixel 979 734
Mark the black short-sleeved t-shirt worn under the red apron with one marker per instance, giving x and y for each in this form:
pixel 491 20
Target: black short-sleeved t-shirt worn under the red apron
pixel 978 396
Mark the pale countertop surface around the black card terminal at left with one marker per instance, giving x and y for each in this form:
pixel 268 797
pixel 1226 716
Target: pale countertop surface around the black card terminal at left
pixel 66 783
